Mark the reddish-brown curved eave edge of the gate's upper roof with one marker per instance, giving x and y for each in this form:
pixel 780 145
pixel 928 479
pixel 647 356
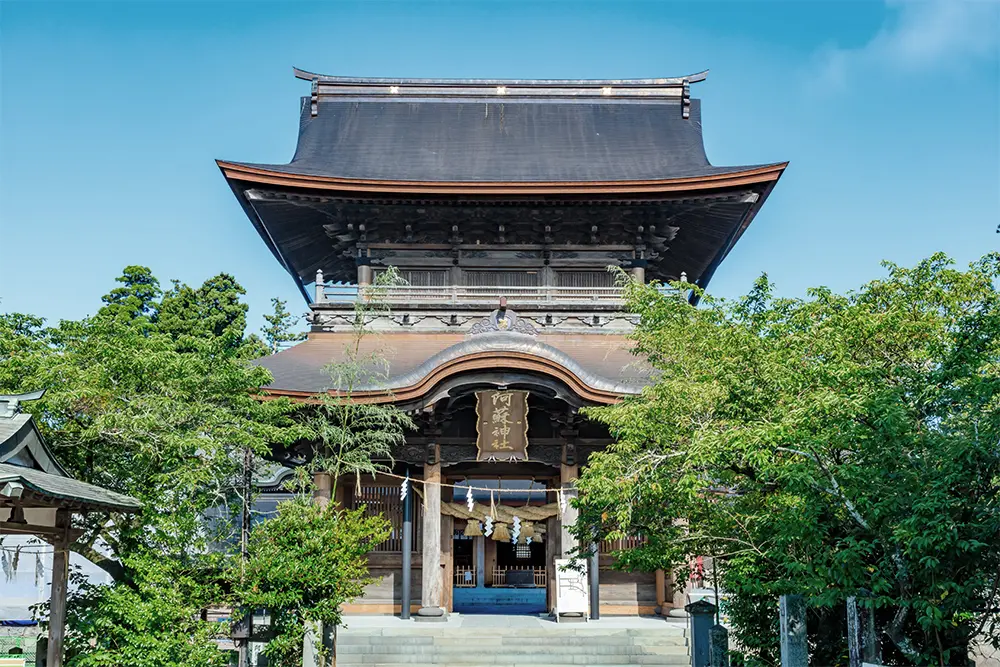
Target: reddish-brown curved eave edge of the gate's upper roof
pixel 282 175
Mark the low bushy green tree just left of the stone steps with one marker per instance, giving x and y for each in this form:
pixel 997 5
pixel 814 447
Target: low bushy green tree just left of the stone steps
pixel 302 565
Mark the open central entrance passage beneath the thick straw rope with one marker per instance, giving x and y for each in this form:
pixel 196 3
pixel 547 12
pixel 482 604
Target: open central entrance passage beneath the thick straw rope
pixel 494 577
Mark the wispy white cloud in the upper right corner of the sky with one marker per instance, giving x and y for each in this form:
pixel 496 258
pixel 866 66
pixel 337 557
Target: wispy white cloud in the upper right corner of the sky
pixel 920 36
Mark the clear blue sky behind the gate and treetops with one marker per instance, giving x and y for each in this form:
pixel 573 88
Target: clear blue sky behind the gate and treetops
pixel 112 114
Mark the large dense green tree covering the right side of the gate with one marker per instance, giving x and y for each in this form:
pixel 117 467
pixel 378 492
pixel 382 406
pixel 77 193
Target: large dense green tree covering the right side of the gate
pixel 820 446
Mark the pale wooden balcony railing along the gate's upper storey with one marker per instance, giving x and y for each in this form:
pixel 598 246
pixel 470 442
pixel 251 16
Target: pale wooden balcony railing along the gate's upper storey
pixel 472 295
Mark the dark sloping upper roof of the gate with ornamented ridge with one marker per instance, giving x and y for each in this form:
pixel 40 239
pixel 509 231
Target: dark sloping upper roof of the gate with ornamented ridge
pixel 479 131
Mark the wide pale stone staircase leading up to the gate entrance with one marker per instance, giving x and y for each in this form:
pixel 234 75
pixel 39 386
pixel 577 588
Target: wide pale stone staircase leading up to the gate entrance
pixel 567 644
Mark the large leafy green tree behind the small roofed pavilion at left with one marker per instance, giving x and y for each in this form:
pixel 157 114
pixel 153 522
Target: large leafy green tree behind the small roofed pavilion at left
pixel 152 396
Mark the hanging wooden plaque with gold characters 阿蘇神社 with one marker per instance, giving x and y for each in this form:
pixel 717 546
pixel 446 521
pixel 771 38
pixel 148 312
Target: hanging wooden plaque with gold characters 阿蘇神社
pixel 502 425
